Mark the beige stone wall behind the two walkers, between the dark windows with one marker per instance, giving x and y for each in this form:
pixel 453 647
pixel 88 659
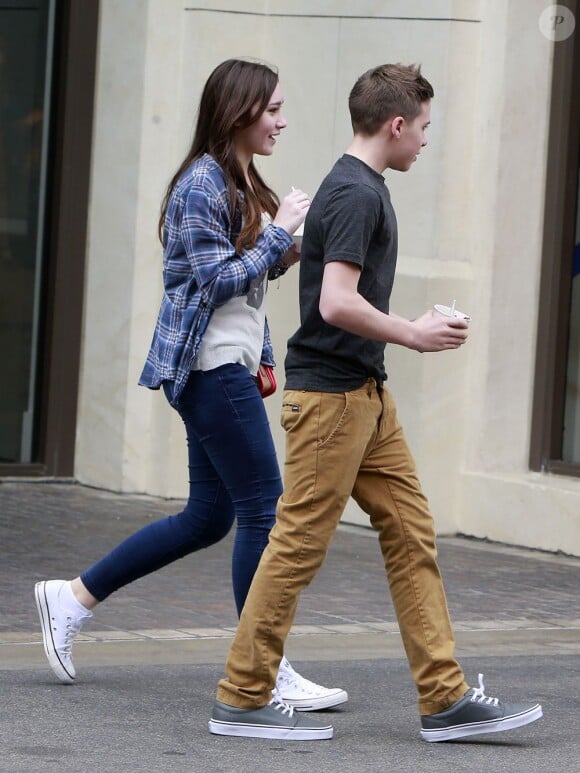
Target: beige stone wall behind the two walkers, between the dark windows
pixel 470 222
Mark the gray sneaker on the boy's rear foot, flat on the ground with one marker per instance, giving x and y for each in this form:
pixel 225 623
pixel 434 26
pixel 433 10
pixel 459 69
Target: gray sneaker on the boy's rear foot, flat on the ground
pixel 276 720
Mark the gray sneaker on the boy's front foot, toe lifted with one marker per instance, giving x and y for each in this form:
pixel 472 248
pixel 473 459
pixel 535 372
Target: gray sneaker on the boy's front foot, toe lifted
pixel 475 714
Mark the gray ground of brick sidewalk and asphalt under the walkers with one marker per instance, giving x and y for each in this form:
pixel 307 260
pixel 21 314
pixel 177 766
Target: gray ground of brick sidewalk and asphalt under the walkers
pixel 148 662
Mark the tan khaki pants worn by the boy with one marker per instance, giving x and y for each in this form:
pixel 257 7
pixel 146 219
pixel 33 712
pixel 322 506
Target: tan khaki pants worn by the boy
pixel 340 445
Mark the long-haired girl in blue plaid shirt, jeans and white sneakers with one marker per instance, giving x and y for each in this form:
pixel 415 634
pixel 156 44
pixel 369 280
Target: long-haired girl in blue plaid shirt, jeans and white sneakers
pixel 224 234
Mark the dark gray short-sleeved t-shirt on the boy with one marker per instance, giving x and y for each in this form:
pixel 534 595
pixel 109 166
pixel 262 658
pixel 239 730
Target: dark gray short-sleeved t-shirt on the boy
pixel 351 219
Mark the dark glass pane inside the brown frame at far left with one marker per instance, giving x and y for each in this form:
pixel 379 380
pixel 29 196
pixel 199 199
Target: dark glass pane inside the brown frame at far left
pixel 25 74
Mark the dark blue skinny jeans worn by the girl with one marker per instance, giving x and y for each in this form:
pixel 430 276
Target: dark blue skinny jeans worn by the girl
pixel 233 475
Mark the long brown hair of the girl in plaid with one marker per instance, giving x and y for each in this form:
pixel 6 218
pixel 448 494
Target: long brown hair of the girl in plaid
pixel 234 97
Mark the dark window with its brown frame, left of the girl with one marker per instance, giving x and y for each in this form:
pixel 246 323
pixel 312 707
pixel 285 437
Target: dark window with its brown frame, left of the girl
pixel 47 68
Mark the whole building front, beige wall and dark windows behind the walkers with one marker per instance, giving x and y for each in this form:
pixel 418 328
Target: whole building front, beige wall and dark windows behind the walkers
pixel 98 103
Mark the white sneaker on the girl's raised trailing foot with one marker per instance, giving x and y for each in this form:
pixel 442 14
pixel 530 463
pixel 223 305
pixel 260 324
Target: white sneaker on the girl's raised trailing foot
pixel 59 625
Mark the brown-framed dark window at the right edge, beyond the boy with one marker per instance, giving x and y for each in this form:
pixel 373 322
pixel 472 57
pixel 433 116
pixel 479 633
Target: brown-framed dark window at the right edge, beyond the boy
pixel 555 440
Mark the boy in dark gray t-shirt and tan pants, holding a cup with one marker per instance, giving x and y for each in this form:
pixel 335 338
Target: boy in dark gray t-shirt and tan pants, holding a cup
pixel 343 439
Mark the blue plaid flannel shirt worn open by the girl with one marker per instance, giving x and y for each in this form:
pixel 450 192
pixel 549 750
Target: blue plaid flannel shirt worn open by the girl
pixel 201 271
